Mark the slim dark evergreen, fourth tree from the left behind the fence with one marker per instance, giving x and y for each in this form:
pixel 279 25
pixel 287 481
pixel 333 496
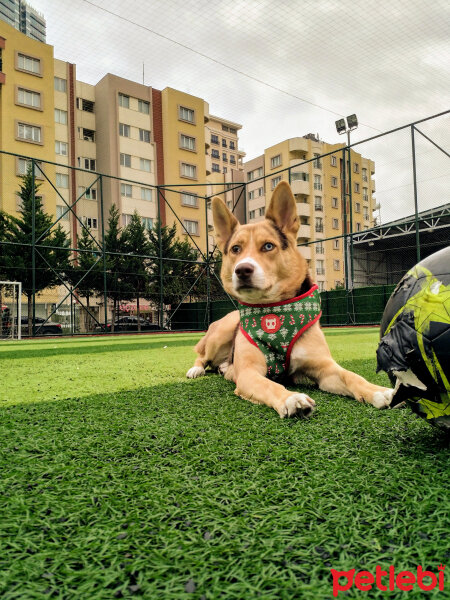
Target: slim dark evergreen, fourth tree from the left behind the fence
pixel 136 263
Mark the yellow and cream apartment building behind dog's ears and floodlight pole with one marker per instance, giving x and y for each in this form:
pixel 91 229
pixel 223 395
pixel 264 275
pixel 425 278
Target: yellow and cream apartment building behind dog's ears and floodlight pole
pixel 318 189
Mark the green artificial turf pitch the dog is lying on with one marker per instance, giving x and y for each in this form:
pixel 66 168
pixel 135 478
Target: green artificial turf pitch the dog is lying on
pixel 122 479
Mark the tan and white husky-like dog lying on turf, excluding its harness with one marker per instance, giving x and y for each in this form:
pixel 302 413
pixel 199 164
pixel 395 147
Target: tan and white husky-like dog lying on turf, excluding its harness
pixel 262 265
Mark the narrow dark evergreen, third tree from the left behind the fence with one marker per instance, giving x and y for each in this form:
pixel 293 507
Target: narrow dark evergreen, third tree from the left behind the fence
pixel 117 284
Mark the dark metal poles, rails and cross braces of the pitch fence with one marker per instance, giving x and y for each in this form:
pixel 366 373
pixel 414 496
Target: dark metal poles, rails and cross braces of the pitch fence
pixel 205 260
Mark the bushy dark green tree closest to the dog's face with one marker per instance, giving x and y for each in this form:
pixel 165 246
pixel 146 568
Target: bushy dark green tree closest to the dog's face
pixel 178 265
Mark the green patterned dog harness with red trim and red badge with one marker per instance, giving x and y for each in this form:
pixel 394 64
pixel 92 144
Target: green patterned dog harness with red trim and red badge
pixel 274 328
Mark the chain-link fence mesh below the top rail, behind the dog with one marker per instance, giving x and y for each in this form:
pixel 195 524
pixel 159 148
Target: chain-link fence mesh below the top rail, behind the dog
pixel 88 266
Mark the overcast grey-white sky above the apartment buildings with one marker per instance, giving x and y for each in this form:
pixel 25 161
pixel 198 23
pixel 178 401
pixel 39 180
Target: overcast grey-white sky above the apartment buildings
pixel 286 68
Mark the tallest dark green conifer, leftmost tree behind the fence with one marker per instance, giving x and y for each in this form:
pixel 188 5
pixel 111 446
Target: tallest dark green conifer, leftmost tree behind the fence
pixel 52 246
